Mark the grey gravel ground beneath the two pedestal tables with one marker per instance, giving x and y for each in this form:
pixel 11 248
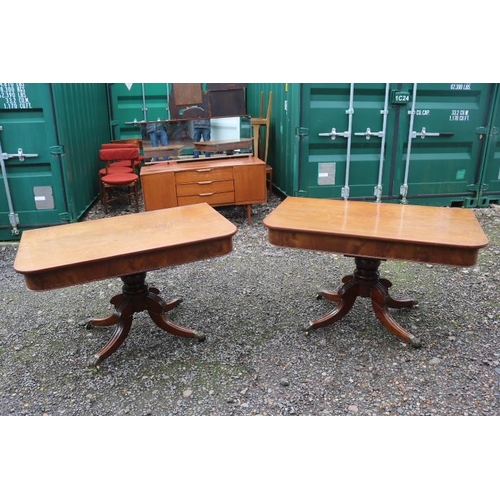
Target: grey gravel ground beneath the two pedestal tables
pixel 253 305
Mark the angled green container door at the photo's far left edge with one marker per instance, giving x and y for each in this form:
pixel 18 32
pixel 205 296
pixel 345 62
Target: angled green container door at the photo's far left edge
pixel 31 181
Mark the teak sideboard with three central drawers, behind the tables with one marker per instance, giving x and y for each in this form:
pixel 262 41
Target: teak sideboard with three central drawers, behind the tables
pixel 238 180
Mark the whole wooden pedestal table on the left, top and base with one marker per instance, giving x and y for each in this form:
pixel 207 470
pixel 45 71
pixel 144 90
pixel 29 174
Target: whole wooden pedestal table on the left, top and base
pixel 127 247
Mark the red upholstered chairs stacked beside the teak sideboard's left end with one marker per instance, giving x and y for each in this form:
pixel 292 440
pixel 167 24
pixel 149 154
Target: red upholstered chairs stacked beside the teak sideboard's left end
pixel 116 184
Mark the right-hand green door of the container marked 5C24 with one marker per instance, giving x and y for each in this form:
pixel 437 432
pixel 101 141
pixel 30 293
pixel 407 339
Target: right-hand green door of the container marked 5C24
pixel 439 142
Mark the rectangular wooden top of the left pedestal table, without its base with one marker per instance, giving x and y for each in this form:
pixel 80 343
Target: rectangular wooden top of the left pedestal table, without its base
pixel 71 254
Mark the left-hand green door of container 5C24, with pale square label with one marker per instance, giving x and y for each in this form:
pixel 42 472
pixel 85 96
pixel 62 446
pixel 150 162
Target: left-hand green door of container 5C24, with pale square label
pixel 343 140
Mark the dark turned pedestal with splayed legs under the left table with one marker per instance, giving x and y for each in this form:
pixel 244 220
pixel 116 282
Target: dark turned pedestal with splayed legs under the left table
pixel 137 296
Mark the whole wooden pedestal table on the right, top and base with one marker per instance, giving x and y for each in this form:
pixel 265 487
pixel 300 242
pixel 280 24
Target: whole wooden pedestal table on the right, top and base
pixel 373 232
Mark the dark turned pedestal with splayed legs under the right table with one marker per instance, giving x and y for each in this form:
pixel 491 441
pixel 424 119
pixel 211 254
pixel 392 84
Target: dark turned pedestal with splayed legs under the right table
pixel 366 282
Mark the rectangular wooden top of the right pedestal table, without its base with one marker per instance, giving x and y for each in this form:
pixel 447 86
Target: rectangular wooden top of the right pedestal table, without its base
pixel 440 235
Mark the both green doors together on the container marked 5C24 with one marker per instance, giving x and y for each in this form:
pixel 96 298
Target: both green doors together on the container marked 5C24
pixel 393 142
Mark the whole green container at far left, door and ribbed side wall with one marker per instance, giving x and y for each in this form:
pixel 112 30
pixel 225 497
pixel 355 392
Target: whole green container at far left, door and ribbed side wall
pixel 50 135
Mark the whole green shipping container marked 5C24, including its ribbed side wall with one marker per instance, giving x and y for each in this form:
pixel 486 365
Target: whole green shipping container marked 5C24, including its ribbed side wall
pixel 425 143
